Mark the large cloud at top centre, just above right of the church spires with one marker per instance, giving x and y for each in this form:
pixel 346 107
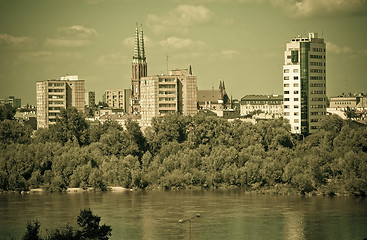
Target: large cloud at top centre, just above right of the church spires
pixel 179 19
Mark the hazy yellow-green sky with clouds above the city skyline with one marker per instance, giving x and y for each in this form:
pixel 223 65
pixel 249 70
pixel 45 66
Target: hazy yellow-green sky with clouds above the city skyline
pixel 240 42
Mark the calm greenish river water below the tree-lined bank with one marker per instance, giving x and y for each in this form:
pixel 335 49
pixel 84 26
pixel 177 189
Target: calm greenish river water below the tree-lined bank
pixel 224 214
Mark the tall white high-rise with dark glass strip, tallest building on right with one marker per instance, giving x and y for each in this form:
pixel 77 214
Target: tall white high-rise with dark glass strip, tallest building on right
pixel 304 83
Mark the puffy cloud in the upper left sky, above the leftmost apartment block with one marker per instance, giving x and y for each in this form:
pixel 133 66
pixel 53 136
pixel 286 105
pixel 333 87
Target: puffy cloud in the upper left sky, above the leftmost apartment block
pixel 72 36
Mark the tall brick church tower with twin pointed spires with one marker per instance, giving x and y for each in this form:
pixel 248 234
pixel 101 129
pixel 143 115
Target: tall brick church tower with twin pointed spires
pixel 139 70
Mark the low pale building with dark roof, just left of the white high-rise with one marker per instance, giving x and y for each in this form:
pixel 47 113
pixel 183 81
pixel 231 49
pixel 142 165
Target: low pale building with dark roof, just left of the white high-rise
pixel 265 106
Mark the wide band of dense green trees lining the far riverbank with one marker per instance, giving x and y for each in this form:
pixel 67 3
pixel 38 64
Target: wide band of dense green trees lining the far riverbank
pixel 184 152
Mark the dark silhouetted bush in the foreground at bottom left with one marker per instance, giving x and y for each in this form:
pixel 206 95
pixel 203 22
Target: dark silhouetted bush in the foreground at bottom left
pixel 89 228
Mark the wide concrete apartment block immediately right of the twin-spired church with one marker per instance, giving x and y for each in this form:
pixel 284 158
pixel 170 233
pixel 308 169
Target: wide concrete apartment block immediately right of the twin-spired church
pixel 163 94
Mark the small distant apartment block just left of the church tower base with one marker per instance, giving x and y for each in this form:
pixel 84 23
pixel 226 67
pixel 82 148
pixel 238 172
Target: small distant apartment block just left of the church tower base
pixel 118 99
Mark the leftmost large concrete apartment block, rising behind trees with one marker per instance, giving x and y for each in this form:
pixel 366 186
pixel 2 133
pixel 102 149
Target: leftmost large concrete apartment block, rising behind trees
pixel 54 95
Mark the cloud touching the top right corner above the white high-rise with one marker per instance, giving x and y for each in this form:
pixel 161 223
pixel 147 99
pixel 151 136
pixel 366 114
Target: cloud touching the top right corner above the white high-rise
pixel 309 8
